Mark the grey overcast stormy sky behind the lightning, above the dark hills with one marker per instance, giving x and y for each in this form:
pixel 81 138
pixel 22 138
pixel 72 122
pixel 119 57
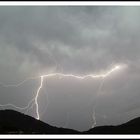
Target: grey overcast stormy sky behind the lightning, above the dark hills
pixel 72 39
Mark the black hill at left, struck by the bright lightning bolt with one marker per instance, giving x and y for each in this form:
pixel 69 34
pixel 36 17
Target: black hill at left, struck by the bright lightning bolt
pixel 13 122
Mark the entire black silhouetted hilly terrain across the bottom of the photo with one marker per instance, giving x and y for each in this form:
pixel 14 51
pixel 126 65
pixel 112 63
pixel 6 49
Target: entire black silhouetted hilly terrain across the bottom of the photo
pixel 13 122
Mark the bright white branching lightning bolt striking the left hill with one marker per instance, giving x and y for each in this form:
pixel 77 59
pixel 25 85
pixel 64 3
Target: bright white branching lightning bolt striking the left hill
pixel 34 101
